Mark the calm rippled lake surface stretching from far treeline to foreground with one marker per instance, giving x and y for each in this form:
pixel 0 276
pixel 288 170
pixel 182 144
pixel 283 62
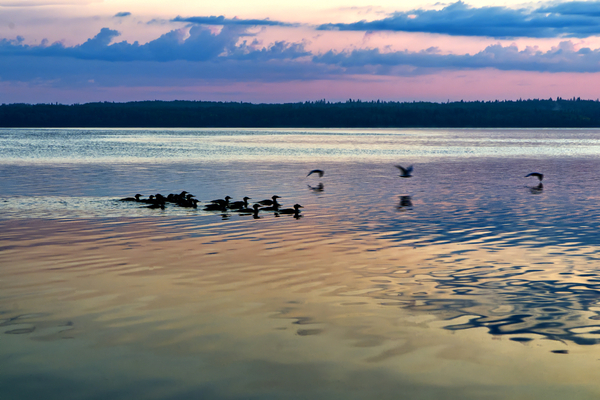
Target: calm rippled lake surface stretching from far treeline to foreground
pixel 465 281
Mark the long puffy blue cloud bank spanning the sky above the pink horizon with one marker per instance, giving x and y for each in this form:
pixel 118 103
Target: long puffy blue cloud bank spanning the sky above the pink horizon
pixel 200 56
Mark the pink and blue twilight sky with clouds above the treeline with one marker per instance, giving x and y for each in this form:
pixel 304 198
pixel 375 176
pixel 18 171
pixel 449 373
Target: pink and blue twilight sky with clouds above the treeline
pixel 266 51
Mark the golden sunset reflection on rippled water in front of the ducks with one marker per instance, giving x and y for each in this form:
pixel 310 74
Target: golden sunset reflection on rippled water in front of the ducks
pixel 263 308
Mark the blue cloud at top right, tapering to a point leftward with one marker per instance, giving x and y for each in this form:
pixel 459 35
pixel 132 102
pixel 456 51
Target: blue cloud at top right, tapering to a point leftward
pixel 573 19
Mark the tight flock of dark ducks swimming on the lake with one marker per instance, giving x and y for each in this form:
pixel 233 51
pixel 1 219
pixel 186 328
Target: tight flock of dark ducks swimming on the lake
pixel 186 199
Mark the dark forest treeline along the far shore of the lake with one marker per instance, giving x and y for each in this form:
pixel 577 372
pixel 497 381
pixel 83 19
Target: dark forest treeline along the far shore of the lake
pixel 559 113
